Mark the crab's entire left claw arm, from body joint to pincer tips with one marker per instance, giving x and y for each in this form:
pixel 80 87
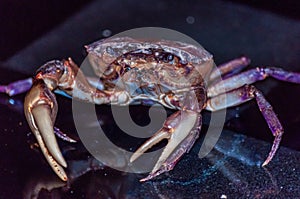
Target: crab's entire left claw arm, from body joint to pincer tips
pixel 40 105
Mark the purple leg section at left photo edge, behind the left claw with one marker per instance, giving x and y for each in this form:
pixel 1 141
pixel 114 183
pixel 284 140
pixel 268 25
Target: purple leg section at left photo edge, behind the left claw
pixel 17 87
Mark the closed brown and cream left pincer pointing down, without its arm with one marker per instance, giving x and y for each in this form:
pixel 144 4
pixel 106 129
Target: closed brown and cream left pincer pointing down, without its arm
pixel 40 110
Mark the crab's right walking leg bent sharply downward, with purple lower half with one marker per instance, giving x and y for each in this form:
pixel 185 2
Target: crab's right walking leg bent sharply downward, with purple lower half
pixel 242 95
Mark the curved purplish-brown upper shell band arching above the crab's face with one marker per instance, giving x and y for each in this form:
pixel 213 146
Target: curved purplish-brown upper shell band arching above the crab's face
pixel 104 52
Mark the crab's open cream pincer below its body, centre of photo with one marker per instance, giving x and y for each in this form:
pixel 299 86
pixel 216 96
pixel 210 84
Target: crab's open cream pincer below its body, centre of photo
pixel 181 129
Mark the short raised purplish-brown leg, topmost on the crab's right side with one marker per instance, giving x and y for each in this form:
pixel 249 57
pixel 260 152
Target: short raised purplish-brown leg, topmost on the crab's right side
pixel 230 68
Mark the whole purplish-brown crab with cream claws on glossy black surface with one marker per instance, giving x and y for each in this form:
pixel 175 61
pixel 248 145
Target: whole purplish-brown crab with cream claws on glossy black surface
pixel 177 75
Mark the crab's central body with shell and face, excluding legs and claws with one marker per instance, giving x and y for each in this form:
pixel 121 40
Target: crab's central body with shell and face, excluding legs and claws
pixel 162 71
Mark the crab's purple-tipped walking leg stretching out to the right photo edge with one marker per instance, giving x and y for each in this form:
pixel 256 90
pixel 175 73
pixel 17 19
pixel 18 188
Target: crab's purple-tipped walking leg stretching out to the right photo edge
pixel 251 76
